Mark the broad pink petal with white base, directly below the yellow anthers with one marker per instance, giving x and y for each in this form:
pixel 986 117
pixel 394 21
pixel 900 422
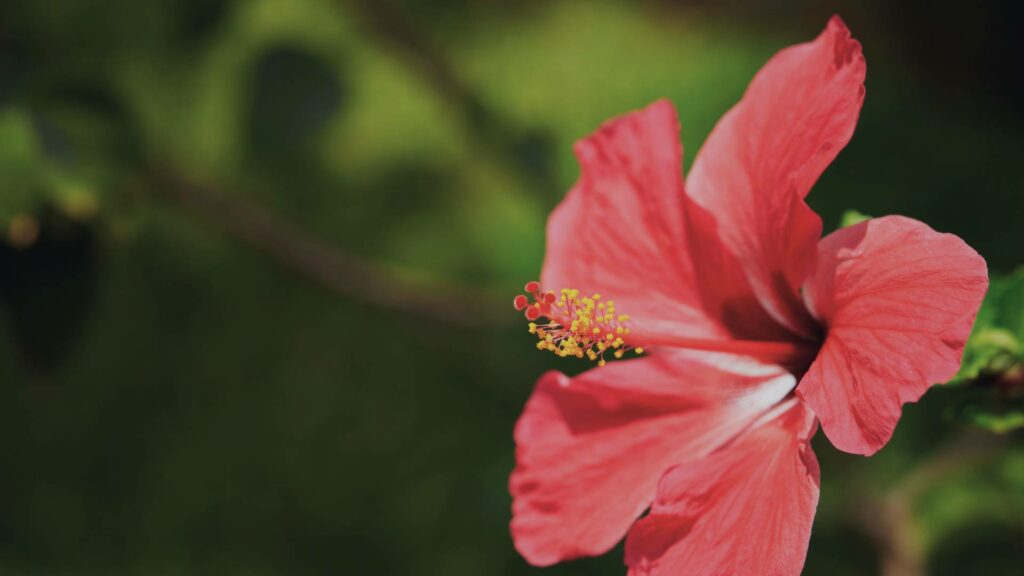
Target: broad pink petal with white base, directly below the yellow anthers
pixel 590 450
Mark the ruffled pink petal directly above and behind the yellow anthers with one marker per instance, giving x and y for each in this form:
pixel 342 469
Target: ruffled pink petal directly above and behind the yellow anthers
pixel 620 231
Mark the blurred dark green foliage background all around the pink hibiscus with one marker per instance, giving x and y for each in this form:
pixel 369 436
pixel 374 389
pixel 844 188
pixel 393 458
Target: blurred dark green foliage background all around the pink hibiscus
pixel 259 261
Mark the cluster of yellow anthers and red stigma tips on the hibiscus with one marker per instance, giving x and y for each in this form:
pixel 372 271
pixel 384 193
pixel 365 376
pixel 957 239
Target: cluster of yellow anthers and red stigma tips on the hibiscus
pixel 577 326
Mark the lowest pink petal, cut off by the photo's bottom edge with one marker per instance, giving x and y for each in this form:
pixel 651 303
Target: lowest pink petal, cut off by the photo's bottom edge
pixel 745 510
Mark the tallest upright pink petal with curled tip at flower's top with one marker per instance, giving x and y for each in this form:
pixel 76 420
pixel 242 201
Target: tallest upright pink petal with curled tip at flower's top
pixel 749 181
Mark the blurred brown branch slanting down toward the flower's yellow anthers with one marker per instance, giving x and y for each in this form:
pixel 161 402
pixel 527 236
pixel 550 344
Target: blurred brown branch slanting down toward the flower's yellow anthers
pixel 377 284
